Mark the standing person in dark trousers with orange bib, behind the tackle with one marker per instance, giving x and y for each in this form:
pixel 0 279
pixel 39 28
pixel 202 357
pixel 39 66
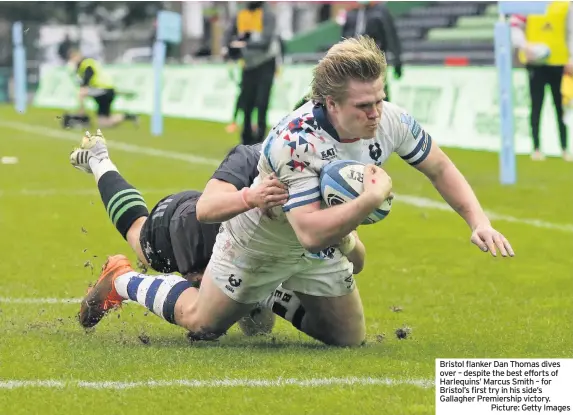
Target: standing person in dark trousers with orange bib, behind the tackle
pixel 251 38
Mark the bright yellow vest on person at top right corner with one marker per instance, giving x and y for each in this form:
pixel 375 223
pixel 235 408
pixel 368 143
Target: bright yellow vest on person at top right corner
pixel 550 29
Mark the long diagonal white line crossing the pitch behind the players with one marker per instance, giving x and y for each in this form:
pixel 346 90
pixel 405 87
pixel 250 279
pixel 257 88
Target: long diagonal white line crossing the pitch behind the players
pixel 131 148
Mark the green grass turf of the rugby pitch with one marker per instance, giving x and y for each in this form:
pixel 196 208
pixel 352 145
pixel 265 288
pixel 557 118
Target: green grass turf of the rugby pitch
pixel 457 301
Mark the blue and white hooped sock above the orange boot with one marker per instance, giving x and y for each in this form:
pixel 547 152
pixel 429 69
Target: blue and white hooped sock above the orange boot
pixel 157 294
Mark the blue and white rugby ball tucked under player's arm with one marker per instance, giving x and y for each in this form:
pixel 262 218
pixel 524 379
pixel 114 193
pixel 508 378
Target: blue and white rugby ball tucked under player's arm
pixel 342 181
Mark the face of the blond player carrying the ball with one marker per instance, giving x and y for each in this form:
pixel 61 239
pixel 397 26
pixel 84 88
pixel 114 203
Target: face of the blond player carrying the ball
pixel 359 114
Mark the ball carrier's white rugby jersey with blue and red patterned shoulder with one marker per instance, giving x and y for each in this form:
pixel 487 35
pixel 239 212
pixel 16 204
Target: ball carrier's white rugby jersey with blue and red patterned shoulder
pixel 297 149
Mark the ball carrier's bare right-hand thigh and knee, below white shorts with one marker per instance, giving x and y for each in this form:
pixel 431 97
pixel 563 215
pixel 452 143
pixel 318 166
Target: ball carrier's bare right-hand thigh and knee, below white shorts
pixel 336 320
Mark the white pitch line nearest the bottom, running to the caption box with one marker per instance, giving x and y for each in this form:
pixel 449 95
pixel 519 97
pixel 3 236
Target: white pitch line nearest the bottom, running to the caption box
pixel 216 383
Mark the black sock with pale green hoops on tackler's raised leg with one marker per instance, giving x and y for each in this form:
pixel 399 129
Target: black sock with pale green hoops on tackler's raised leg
pixel 123 202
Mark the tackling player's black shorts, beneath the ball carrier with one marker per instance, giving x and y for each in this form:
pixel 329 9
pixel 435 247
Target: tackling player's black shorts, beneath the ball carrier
pixel 173 240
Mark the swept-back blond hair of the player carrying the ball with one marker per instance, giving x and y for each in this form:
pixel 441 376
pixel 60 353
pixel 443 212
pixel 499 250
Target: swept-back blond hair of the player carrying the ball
pixel 359 59
